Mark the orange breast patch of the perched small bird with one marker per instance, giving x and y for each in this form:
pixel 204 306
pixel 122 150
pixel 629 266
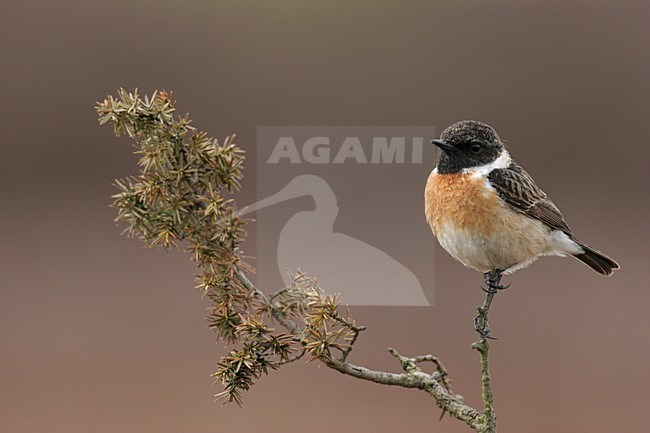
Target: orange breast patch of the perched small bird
pixel 462 200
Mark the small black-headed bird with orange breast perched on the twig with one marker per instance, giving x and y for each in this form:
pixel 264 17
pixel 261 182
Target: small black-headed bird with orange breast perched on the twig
pixel 488 213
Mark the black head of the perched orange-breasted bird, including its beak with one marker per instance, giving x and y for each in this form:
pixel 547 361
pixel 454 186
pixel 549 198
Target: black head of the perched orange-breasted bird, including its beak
pixel 467 144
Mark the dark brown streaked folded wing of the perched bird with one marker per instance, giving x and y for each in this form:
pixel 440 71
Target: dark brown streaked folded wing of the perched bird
pixel 519 190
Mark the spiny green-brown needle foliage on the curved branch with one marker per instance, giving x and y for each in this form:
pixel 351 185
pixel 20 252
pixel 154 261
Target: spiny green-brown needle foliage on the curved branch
pixel 184 193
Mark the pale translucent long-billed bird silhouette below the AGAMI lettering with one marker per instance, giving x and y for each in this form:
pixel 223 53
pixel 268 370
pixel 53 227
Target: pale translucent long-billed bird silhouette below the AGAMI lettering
pixel 362 273
